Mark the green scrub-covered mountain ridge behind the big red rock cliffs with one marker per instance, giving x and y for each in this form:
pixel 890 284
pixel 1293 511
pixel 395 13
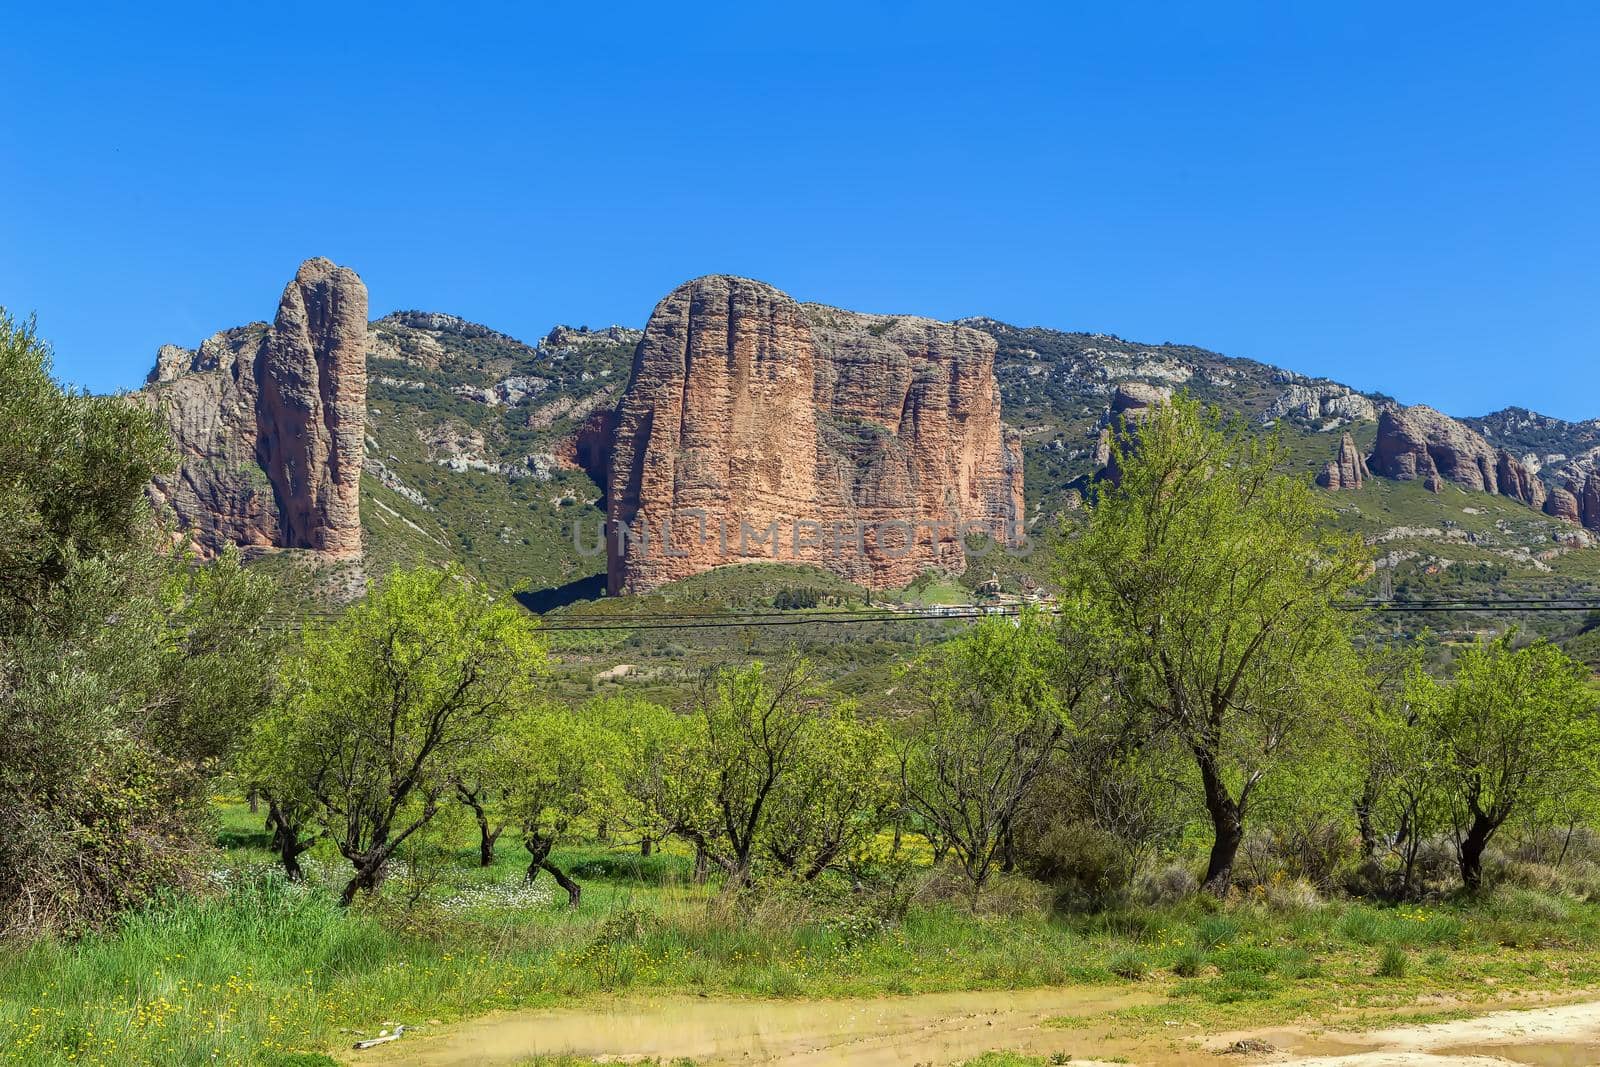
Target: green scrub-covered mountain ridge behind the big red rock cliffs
pixel 492 452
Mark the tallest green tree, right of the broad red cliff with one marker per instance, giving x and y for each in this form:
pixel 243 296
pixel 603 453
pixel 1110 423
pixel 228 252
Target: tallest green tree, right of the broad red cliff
pixel 1209 585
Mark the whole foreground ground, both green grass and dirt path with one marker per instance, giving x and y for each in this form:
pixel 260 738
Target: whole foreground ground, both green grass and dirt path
pixel 482 967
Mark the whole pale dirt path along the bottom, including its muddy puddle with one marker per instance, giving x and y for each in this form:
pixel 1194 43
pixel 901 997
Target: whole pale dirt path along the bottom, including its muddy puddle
pixel 951 1028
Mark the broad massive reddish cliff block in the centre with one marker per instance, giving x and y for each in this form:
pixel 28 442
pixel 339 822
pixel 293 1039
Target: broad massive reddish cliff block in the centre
pixel 759 430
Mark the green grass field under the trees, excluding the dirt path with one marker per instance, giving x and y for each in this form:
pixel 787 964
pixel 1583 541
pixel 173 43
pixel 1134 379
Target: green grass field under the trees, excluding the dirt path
pixel 258 972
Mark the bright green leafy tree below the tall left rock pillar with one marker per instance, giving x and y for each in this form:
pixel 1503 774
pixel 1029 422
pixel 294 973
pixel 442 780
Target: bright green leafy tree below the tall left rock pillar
pixel 390 701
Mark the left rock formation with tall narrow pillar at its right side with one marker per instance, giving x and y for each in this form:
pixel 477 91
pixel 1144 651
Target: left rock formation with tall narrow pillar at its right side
pixel 270 423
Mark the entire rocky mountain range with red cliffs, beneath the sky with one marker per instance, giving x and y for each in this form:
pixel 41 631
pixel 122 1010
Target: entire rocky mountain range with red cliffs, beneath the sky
pixel 495 454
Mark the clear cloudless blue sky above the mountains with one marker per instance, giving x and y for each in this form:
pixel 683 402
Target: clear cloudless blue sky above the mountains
pixel 1406 198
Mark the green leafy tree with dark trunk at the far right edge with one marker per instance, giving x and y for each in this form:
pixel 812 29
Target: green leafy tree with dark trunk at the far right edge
pixel 1513 733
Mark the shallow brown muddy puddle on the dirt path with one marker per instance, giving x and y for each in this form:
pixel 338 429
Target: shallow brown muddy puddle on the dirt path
pixel 881 1033
